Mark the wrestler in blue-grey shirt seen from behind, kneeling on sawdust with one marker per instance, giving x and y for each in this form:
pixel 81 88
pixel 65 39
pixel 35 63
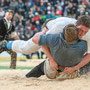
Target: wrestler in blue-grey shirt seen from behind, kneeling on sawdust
pixel 66 49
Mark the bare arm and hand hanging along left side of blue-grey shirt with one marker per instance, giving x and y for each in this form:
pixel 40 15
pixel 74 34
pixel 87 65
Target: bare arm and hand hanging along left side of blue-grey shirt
pixel 48 53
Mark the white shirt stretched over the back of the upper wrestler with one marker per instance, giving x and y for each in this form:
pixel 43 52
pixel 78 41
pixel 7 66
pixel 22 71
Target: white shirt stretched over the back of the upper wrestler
pixel 56 26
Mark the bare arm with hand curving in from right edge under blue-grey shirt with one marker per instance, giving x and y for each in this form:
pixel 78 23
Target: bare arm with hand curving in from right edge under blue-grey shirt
pixel 84 61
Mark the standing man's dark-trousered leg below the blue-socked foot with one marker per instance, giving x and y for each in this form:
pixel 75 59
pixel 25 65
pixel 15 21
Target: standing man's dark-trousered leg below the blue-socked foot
pixel 13 59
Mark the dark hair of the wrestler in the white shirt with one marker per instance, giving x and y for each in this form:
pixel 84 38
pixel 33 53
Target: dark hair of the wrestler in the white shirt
pixel 84 20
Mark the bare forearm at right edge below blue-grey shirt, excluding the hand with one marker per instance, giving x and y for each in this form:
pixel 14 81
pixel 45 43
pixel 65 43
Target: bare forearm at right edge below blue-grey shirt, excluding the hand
pixel 84 61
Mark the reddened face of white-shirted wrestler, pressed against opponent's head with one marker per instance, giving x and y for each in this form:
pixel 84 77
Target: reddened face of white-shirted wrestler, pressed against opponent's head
pixel 82 30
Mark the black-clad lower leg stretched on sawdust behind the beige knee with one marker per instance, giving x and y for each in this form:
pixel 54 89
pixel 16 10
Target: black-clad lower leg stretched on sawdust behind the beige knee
pixel 36 71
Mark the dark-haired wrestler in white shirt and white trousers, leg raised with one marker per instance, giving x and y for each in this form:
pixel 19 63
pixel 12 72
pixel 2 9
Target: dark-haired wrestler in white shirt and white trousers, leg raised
pixel 56 26
